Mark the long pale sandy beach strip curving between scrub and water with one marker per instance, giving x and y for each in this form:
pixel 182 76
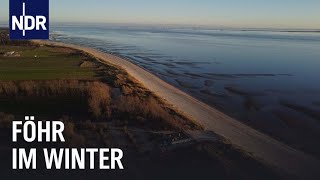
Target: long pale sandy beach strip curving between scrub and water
pixel 262 147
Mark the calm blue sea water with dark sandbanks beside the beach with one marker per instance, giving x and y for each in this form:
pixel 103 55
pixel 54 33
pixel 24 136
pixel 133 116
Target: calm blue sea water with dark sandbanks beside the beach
pixel 267 79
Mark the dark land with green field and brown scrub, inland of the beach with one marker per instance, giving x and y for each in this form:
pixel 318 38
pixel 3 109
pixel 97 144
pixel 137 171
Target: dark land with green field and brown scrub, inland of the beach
pixel 101 105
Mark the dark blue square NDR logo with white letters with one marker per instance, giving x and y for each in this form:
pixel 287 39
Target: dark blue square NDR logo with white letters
pixel 29 19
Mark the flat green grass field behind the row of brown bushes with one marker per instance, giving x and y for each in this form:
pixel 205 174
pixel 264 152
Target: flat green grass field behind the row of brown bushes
pixel 42 63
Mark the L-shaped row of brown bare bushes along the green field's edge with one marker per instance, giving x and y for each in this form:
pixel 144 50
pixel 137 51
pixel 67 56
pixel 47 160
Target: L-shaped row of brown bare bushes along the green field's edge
pixel 97 93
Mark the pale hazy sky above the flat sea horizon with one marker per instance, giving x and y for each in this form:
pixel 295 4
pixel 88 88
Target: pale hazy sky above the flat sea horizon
pixel 228 13
